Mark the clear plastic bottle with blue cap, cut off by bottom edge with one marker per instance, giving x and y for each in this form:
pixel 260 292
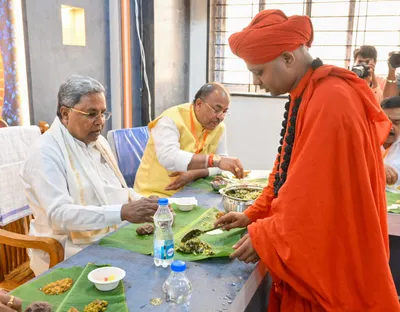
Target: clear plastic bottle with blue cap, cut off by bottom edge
pixel 177 288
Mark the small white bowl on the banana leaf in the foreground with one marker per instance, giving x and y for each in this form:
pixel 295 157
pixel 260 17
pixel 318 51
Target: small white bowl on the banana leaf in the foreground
pixel 98 276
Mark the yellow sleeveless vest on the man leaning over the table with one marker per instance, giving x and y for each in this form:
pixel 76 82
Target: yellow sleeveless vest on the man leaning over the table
pixel 152 178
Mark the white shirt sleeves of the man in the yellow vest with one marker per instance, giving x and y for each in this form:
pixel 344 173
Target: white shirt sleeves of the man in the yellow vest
pixel 166 141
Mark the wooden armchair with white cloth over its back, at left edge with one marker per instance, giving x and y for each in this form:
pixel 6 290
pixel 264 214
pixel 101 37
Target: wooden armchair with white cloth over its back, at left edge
pixel 15 215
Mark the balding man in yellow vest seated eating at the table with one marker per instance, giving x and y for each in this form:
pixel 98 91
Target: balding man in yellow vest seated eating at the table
pixel 187 142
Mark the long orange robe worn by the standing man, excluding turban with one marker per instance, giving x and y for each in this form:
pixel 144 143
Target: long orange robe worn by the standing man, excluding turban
pixel 324 238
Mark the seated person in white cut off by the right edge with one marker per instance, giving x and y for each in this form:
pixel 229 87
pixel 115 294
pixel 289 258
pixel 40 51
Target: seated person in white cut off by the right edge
pixel 391 147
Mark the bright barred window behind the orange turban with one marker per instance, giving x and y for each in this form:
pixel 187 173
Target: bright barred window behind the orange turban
pixel 340 26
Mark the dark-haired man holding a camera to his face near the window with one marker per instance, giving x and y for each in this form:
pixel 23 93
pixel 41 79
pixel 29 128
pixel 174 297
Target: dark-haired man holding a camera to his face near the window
pixel 381 87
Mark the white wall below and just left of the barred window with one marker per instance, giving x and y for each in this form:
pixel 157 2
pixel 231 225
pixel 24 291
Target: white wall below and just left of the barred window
pixel 255 122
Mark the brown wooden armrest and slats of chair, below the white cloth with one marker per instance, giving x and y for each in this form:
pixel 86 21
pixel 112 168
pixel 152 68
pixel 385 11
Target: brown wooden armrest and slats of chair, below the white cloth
pixel 14 261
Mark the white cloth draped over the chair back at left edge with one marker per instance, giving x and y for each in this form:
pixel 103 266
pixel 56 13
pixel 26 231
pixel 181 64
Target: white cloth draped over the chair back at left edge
pixel 14 143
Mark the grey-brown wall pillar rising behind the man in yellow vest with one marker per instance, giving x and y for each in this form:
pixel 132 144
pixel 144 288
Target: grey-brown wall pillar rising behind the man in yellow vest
pixel 171 53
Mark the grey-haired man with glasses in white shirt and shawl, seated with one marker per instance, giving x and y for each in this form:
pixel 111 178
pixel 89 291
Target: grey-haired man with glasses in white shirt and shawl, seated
pixel 71 178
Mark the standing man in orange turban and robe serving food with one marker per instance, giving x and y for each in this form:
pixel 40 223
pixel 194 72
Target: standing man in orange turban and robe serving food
pixel 320 225
